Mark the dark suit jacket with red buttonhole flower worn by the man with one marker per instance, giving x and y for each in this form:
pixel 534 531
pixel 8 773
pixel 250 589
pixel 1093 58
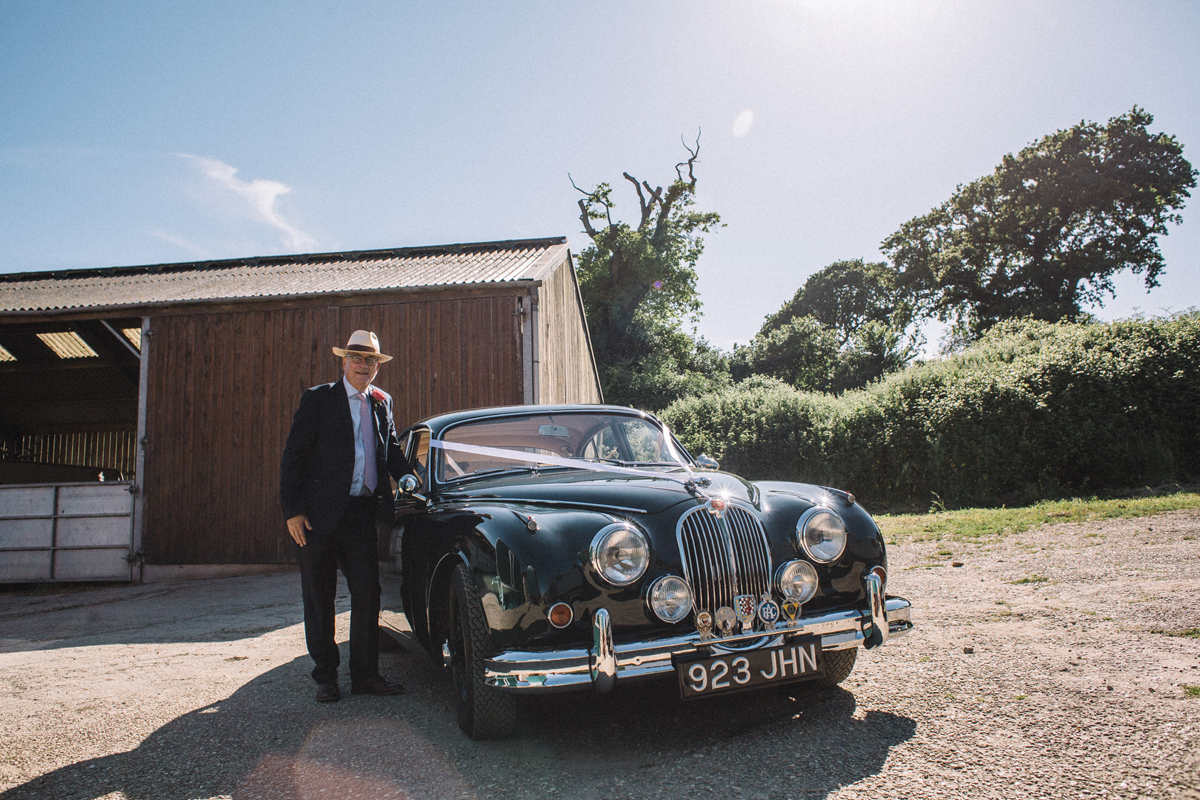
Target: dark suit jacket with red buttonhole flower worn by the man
pixel 319 459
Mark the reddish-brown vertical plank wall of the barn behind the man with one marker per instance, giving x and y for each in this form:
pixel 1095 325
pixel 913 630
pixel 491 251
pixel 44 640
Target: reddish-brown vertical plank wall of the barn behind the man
pixel 224 388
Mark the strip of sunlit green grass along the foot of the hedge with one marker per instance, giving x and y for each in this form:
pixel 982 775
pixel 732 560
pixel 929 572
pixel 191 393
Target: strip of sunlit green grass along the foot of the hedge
pixel 981 525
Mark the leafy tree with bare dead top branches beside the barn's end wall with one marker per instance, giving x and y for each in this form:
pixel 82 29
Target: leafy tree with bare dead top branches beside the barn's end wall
pixel 639 287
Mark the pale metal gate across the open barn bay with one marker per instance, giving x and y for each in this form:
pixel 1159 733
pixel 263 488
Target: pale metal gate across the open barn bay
pixel 67 532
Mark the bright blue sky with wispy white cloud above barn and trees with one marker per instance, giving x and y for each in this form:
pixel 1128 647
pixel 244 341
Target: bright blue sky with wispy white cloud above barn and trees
pixel 154 133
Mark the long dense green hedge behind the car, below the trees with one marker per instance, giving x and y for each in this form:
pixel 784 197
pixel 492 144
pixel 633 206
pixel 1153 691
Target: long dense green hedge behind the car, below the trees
pixel 1034 411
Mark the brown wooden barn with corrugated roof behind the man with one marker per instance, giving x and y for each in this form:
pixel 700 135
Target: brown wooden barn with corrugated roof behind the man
pixel 143 410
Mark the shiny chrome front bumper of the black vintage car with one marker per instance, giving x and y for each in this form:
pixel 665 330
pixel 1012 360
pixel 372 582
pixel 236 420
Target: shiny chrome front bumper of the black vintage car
pixel 603 665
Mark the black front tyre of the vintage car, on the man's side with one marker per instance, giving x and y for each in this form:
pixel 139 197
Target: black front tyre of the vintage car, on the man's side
pixel 483 712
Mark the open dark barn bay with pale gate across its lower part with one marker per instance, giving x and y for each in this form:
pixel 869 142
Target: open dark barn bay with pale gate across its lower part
pixel 69 428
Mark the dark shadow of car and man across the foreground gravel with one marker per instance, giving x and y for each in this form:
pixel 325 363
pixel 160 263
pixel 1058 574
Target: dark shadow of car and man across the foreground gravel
pixel 269 739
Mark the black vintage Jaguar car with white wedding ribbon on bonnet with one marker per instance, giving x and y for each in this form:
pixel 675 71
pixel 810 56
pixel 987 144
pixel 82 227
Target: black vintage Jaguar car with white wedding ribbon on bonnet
pixel 578 548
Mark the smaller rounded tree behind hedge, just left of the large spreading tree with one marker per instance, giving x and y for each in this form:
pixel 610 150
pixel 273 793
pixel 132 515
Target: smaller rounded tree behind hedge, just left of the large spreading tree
pixel 845 297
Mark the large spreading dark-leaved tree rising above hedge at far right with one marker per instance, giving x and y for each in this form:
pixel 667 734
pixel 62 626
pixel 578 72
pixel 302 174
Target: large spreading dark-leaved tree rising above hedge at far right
pixel 1049 228
